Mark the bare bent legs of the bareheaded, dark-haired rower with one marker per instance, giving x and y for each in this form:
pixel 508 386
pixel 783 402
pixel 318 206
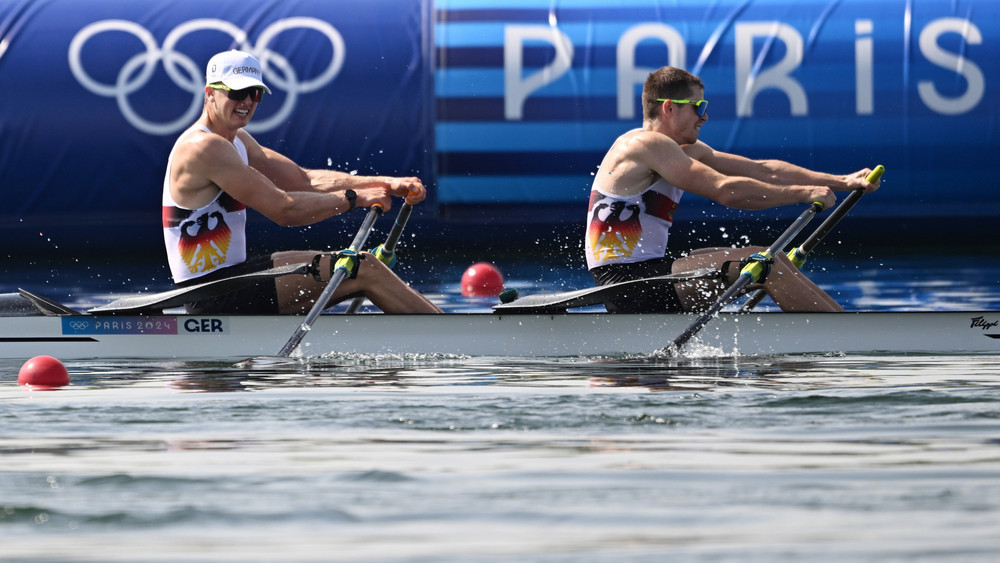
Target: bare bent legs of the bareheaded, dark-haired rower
pixel 788 287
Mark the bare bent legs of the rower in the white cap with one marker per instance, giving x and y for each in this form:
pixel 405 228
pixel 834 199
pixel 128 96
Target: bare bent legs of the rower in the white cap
pixel 296 294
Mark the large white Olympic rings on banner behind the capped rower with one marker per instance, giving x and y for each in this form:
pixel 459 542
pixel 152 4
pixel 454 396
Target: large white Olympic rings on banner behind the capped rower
pixel 190 77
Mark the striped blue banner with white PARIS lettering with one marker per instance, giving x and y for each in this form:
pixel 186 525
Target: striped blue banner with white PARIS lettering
pixel 530 94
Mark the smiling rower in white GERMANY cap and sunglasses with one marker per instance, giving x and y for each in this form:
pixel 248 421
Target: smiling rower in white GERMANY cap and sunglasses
pixel 217 170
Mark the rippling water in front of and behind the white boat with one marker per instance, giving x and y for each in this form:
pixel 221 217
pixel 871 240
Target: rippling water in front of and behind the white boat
pixel 417 458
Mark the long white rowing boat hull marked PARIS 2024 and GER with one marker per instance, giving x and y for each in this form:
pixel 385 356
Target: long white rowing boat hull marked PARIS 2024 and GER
pixel 486 334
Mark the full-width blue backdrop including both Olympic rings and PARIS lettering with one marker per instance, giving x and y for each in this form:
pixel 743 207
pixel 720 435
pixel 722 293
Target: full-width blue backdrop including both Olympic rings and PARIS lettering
pixel 504 107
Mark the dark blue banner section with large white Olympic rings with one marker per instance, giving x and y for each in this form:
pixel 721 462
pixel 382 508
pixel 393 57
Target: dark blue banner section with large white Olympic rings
pixel 95 92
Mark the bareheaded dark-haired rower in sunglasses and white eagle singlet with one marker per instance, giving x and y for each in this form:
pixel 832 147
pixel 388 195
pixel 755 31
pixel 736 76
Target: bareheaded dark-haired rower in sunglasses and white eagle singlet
pixel 639 185
